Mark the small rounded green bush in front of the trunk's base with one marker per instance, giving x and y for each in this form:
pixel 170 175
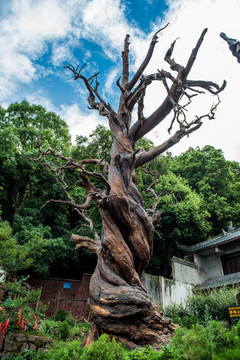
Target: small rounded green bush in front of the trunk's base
pixel 104 349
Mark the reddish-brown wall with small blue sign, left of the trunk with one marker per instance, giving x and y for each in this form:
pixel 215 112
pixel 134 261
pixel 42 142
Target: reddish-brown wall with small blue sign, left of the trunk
pixel 69 295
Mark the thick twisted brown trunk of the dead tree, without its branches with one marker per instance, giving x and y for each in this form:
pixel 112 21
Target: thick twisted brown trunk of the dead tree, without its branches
pixel 119 304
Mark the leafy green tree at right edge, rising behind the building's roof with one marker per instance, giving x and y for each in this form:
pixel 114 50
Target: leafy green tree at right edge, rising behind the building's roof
pixel 216 179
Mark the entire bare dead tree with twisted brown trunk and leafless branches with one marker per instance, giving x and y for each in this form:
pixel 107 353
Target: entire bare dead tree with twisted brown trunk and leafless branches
pixel 119 304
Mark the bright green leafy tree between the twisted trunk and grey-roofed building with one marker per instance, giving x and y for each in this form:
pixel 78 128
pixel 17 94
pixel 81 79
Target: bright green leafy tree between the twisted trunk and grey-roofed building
pixel 183 220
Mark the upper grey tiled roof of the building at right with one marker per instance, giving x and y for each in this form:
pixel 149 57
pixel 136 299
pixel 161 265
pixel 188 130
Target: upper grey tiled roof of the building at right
pixel 216 241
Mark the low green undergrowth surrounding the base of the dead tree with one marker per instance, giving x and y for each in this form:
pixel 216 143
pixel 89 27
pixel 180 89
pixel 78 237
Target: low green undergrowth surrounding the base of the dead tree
pixel 203 333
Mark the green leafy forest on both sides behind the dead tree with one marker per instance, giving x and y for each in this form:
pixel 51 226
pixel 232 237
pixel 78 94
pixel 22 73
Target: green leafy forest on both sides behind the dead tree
pixel 198 195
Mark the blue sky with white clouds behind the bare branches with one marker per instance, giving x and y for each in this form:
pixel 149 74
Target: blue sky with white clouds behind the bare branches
pixel 37 37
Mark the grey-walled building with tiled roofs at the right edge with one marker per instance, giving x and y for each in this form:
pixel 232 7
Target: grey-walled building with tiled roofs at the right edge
pixel 212 263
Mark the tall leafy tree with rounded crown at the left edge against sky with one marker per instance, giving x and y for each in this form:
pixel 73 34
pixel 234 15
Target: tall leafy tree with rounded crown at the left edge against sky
pixel 23 129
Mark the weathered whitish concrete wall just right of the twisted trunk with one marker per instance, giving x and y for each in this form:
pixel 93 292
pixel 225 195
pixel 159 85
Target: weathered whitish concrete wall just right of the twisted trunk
pixel 165 291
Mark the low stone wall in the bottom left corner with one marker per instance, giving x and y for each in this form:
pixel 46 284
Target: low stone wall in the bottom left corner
pixel 16 342
